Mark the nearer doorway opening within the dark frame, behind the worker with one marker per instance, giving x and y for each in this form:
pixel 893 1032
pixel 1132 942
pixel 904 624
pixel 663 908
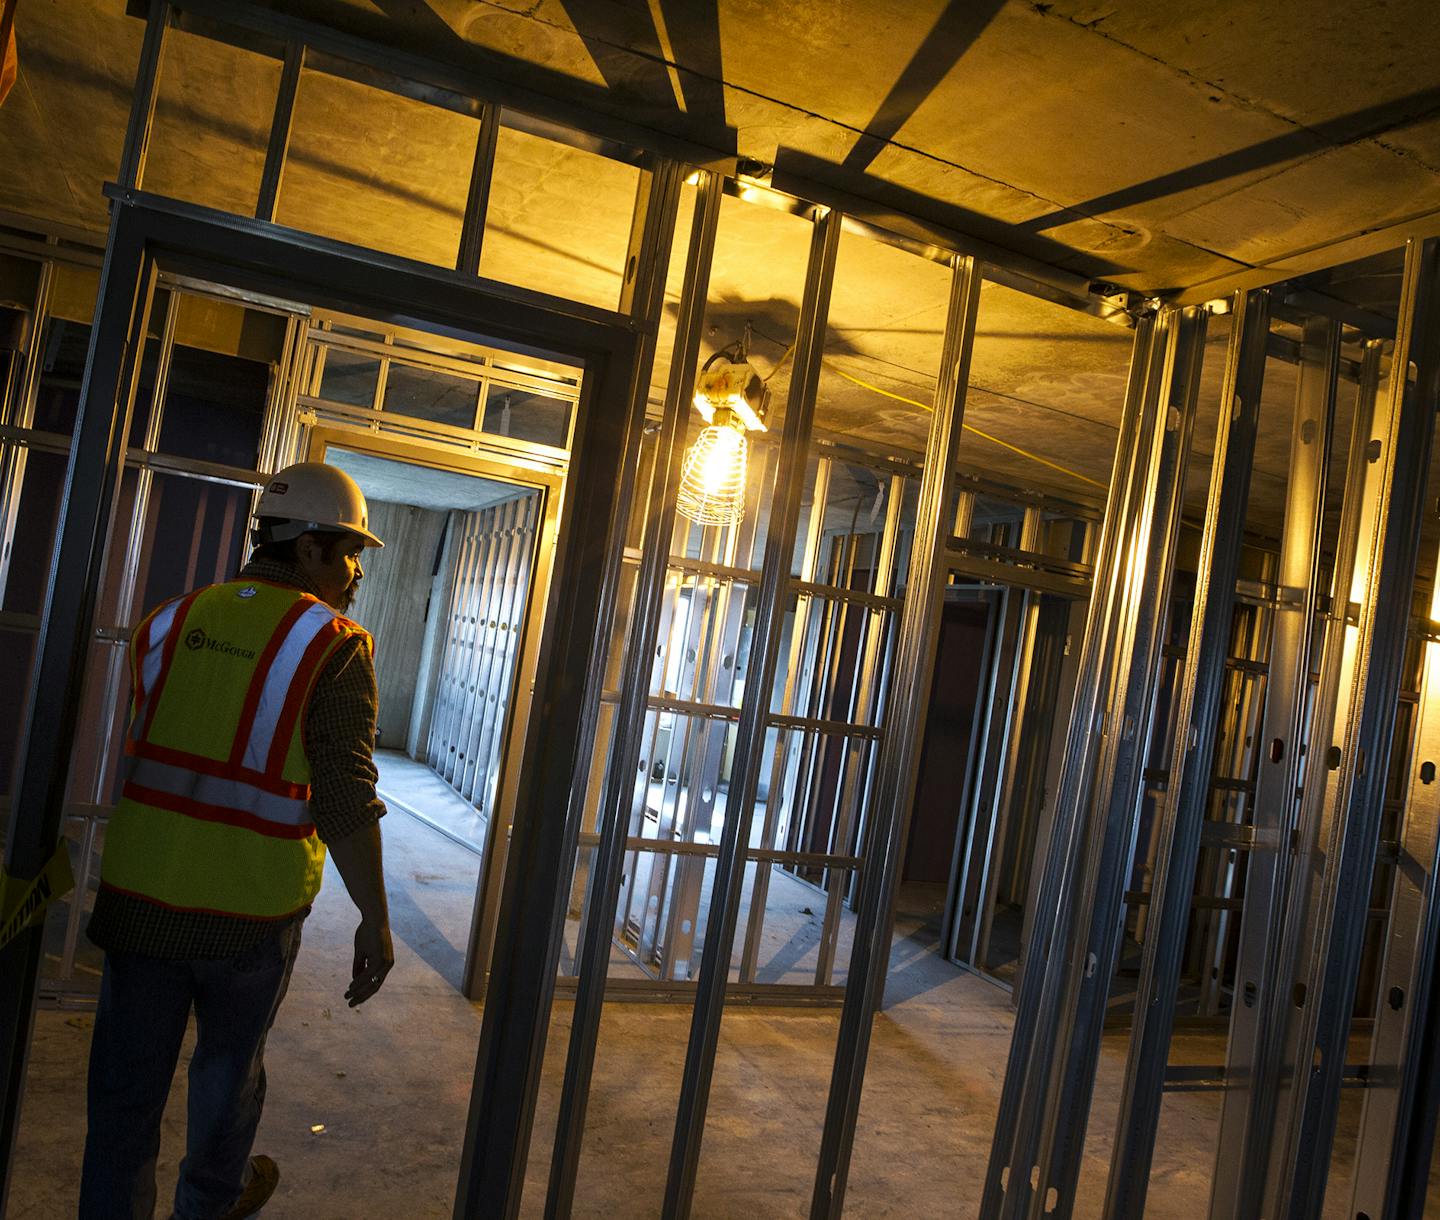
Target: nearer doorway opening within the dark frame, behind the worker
pixel 462 450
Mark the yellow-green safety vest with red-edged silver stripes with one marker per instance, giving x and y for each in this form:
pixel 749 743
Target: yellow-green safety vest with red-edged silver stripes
pixel 215 809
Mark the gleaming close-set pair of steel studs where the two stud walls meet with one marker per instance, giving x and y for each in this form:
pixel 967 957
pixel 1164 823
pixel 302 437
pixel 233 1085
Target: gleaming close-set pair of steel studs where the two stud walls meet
pixel 1108 725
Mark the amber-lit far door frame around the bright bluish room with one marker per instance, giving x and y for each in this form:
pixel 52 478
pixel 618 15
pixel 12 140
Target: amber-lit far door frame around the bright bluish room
pixel 480 940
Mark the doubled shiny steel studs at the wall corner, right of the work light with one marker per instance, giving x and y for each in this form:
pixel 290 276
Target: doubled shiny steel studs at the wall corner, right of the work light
pixel 1045 1104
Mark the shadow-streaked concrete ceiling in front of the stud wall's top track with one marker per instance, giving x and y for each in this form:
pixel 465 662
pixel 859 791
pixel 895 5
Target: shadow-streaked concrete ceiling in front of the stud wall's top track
pixel 1150 145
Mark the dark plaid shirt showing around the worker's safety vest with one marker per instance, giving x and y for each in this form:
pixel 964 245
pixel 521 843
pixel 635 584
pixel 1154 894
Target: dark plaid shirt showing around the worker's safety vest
pixel 339 738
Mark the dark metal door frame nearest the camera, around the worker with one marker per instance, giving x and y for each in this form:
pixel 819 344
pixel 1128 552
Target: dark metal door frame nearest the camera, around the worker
pixel 152 236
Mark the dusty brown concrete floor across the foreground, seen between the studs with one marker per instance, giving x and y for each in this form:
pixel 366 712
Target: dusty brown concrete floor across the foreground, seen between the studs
pixel 388 1087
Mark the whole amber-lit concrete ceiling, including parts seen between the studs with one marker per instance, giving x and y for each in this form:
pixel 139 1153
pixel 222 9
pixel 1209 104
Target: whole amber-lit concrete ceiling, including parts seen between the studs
pixel 1160 149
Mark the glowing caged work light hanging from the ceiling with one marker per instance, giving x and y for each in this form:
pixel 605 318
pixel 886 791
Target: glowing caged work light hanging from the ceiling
pixel 731 397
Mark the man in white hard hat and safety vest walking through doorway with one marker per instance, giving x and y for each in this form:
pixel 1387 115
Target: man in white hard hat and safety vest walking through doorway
pixel 250 754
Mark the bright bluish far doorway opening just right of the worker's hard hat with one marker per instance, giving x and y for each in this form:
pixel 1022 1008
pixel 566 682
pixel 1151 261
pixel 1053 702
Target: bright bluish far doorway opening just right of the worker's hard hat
pixel 447 603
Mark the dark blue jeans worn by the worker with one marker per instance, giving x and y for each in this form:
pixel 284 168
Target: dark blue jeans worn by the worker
pixel 145 1006
